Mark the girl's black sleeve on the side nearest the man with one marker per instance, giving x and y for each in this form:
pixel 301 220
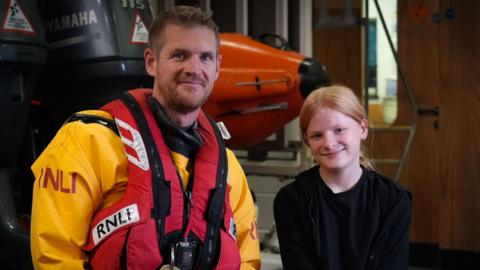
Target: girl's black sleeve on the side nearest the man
pixel 293 249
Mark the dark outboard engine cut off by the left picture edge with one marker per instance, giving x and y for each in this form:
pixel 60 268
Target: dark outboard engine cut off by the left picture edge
pixel 23 54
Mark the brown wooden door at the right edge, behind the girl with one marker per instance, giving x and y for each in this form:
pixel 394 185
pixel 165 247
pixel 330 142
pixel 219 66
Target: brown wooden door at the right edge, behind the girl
pixel 439 51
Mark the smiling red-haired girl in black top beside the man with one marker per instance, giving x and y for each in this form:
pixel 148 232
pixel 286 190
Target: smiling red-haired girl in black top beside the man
pixel 341 214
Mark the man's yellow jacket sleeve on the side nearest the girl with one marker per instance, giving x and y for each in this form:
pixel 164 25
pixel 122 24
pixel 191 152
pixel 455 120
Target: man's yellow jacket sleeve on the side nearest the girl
pixel 244 214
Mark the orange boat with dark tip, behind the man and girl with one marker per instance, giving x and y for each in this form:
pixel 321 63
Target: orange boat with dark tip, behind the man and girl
pixel 260 88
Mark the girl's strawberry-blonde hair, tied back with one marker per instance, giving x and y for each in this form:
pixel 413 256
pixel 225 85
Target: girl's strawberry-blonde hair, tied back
pixel 339 98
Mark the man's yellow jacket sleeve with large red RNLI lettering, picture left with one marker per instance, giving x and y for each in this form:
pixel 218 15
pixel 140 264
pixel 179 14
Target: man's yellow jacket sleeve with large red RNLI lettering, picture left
pixel 67 191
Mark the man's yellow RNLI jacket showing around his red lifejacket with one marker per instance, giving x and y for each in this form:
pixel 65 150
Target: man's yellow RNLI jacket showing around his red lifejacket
pixel 83 170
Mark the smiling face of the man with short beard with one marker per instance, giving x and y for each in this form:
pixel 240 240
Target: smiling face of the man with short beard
pixel 185 67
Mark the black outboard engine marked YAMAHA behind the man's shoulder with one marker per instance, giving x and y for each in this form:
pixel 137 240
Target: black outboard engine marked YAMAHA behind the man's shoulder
pixel 96 52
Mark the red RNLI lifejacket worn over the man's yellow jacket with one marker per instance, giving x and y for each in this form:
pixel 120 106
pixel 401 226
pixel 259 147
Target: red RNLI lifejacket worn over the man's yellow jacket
pixel 134 232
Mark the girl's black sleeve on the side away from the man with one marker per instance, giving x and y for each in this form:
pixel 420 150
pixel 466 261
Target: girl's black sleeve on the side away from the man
pixel 394 250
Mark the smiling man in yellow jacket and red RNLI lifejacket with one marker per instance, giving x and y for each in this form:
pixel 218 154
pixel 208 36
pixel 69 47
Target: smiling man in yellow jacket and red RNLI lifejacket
pixel 146 181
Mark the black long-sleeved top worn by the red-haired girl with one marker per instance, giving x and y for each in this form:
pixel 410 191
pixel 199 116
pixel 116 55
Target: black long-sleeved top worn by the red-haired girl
pixel 365 227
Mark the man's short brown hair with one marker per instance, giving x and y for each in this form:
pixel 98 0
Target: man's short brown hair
pixel 182 16
